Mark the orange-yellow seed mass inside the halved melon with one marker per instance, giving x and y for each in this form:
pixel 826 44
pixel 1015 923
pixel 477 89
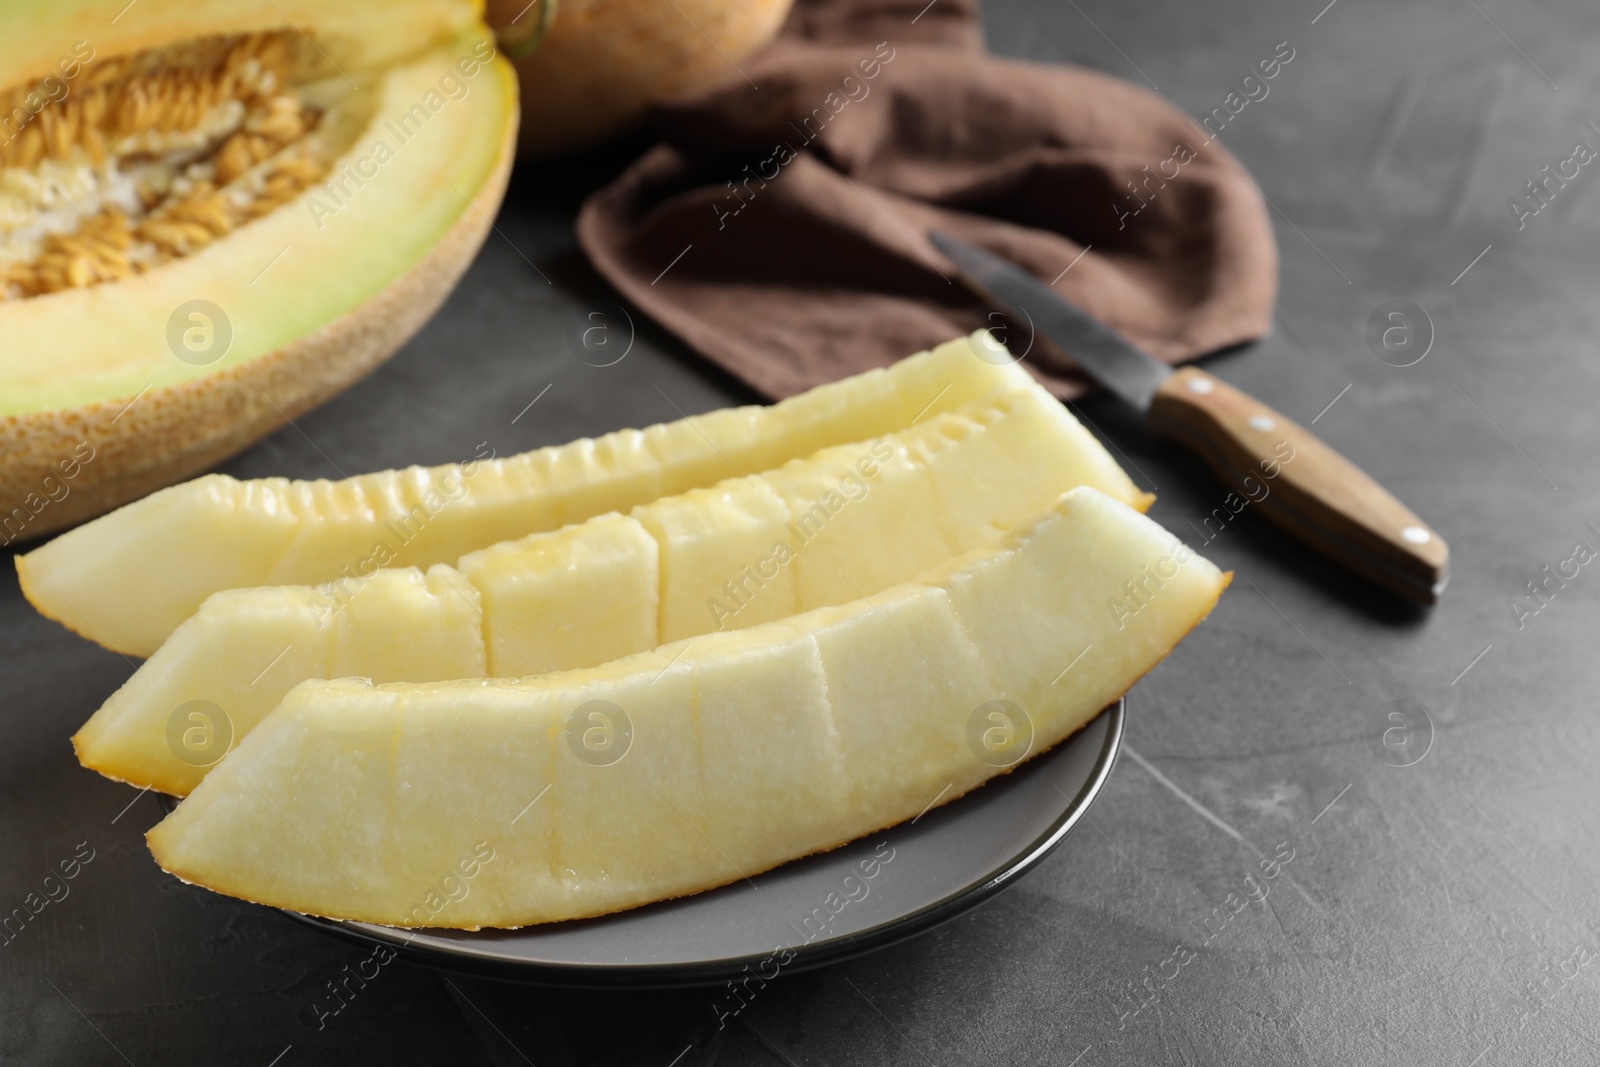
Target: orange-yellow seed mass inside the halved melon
pixel 150 158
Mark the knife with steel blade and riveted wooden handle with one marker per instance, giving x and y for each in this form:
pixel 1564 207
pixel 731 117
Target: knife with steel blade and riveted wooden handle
pixel 1318 495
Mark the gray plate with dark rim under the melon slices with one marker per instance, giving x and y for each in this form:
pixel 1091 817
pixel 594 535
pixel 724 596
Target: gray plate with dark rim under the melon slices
pixel 806 914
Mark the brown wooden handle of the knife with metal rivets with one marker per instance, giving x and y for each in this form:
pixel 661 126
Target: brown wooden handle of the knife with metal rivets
pixel 1302 486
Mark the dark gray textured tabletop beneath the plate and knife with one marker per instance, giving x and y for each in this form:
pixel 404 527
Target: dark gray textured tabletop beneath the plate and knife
pixel 1439 913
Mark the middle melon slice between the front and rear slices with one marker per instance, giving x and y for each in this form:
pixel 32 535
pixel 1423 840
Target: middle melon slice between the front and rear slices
pixel 847 522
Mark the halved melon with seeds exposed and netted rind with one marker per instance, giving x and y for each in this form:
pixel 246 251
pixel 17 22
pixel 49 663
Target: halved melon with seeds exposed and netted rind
pixel 217 215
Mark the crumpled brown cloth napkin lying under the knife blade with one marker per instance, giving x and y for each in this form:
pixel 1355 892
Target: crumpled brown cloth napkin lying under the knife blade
pixel 782 230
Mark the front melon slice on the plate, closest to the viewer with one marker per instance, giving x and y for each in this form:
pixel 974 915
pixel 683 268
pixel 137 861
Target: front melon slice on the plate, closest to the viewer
pixel 719 757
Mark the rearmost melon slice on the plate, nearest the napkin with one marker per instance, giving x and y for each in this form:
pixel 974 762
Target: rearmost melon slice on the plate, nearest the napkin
pixel 129 580
